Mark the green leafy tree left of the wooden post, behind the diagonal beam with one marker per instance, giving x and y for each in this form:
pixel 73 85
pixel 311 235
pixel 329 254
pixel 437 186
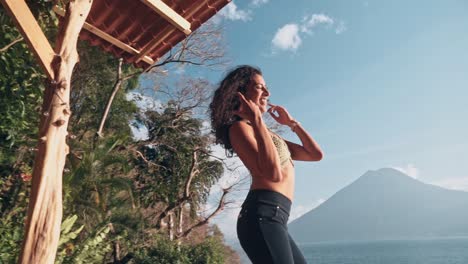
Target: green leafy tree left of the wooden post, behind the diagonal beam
pixel 21 87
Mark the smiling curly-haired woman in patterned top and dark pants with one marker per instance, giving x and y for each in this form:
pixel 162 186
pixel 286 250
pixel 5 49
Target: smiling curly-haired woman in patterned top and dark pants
pixel 236 119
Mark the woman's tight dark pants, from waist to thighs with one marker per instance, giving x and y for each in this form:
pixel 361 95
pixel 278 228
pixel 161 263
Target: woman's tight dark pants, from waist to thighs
pixel 262 229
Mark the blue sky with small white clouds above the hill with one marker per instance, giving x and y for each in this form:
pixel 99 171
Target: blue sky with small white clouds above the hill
pixel 377 83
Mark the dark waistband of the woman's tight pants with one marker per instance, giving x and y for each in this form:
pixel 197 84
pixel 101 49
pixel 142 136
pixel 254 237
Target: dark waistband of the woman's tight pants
pixel 268 197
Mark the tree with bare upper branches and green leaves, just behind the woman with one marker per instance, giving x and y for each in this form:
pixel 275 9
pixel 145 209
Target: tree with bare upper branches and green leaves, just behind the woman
pixel 176 168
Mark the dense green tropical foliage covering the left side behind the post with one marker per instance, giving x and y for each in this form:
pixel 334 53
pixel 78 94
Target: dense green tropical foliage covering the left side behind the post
pixel 126 200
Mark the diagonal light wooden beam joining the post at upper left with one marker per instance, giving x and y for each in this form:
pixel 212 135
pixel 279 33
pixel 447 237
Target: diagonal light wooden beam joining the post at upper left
pixel 29 28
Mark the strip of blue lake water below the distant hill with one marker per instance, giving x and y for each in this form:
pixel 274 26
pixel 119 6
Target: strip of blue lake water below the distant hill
pixel 427 251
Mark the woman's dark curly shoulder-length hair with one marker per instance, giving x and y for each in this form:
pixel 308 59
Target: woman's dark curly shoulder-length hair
pixel 226 100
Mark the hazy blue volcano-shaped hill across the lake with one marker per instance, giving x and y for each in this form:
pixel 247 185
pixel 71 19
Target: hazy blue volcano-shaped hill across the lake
pixel 385 204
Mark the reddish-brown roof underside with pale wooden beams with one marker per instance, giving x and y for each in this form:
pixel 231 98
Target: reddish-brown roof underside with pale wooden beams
pixel 142 31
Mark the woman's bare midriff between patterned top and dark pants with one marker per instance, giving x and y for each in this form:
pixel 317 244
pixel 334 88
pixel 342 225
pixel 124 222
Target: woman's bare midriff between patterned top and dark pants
pixel 285 186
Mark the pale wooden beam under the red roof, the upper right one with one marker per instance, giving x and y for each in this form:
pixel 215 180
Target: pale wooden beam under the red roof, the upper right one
pixel 170 15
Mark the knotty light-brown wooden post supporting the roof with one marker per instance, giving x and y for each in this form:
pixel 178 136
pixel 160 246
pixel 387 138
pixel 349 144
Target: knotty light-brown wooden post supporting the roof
pixel 44 218
